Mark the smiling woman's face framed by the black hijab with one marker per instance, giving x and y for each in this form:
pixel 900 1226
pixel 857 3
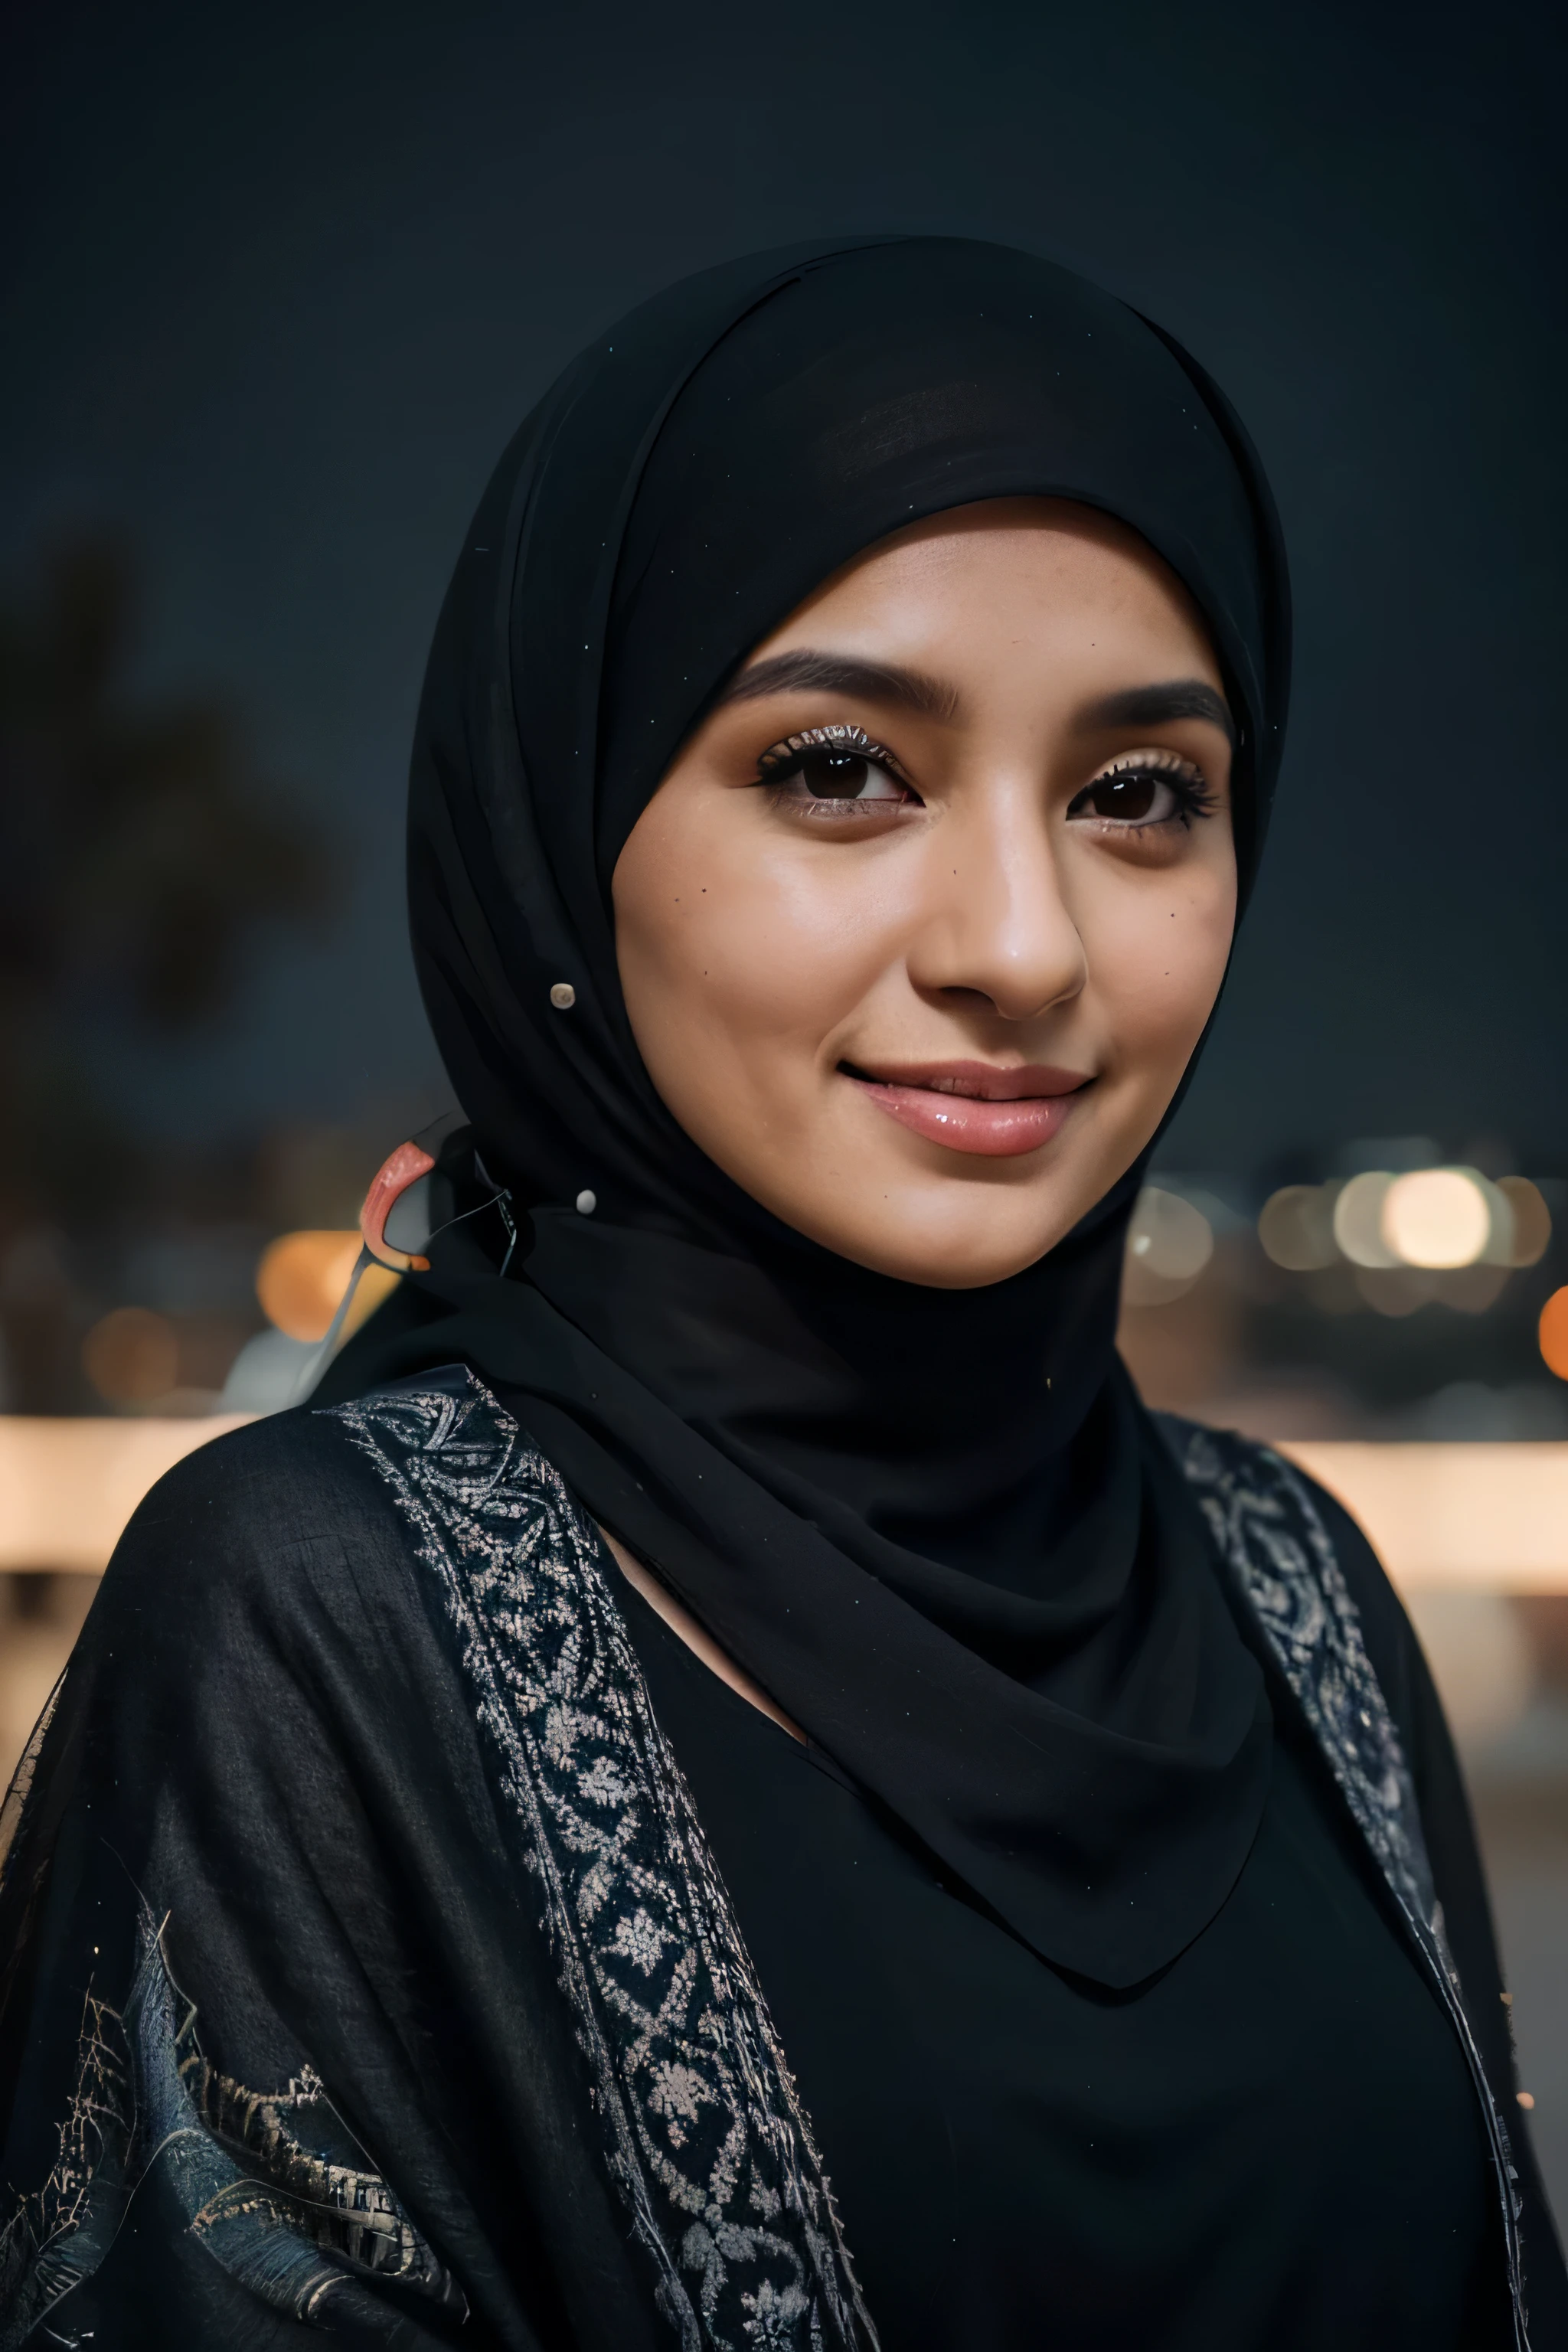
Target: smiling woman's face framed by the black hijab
pixel 930 914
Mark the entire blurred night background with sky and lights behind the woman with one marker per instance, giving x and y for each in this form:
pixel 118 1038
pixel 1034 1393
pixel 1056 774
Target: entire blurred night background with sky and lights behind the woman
pixel 279 290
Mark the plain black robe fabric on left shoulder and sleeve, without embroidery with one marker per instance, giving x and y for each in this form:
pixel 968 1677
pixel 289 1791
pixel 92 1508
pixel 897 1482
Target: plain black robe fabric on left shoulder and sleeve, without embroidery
pixel 267 1739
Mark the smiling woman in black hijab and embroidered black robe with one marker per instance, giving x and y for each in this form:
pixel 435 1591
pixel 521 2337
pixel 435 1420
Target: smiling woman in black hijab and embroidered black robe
pixel 728 1690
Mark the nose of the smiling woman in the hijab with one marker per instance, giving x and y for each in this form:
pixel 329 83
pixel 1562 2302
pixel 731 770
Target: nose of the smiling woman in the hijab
pixel 996 921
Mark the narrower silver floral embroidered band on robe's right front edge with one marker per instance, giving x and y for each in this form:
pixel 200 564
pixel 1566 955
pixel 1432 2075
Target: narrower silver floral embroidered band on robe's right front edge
pixel 1282 1561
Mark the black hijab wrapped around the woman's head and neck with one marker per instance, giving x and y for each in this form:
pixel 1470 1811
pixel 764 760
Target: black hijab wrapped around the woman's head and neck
pixel 937 1525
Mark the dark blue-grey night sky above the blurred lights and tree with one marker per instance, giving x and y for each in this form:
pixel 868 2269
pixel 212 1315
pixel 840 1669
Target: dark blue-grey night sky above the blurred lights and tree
pixel 283 281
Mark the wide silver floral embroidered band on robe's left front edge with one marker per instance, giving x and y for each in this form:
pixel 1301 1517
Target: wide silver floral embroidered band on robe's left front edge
pixel 704 2132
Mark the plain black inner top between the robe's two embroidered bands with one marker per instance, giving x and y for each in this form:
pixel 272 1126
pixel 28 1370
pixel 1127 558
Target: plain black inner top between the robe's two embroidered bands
pixel 1275 2141
